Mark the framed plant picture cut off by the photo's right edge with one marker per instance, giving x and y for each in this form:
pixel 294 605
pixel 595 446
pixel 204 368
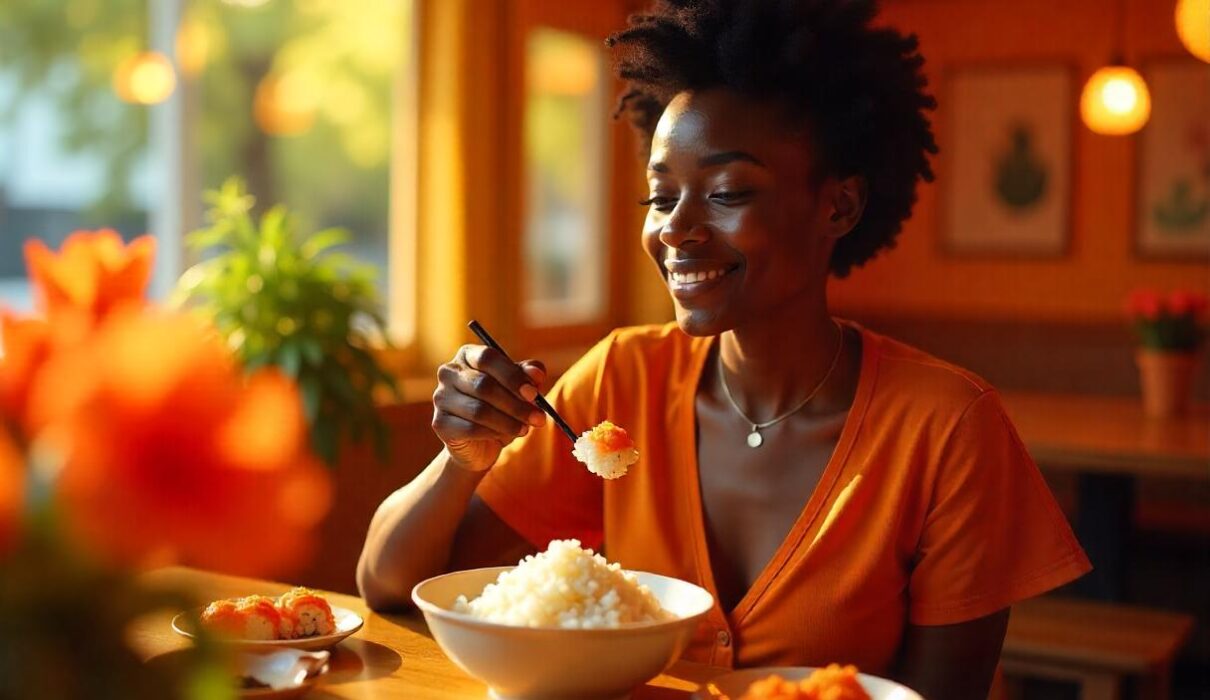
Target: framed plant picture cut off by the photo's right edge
pixel 1174 163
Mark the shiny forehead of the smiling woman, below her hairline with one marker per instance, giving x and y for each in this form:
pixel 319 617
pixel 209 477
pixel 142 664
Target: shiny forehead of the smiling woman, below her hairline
pixel 696 124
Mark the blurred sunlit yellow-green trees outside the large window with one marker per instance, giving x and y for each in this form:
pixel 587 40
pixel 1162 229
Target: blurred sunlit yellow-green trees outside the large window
pixel 292 95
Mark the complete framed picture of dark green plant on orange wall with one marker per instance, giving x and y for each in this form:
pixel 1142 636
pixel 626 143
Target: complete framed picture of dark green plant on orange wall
pixel 1007 153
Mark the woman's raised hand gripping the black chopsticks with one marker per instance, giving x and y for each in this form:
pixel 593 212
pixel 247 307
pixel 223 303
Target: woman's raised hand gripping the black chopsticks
pixel 482 403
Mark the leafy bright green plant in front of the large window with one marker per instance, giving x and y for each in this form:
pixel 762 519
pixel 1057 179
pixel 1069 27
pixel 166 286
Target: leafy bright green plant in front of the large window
pixel 285 299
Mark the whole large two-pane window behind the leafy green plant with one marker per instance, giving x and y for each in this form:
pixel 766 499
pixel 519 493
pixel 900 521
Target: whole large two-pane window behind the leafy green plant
pixel 297 99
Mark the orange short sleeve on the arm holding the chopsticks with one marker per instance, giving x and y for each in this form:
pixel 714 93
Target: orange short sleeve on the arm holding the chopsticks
pixel 537 487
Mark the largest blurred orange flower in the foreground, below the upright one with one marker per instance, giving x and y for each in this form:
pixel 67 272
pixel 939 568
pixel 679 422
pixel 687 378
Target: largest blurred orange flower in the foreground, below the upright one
pixel 171 458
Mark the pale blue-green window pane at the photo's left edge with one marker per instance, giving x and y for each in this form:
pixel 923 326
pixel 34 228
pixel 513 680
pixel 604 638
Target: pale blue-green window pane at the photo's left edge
pixel 73 155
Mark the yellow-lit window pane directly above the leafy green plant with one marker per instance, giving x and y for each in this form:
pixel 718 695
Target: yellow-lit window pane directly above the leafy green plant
pixel 296 97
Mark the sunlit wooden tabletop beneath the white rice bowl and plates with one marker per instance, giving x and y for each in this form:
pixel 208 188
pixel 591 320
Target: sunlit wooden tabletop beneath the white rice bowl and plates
pixel 393 657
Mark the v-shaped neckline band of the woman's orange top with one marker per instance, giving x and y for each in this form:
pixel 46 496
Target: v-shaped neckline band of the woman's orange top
pixel 690 468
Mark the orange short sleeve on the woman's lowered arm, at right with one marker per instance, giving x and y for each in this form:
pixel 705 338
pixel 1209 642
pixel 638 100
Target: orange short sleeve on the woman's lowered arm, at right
pixel 994 534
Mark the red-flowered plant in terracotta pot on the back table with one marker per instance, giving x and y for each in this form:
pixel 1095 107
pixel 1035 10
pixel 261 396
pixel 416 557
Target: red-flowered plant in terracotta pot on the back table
pixel 1171 331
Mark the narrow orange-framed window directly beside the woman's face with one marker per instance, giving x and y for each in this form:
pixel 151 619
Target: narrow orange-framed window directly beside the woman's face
pixel 572 181
